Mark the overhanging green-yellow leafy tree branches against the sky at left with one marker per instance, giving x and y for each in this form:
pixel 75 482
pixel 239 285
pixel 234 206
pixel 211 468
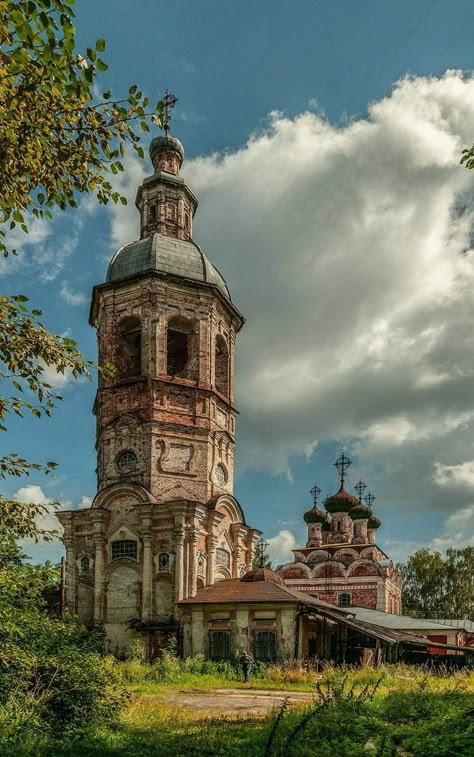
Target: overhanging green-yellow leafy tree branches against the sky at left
pixel 61 135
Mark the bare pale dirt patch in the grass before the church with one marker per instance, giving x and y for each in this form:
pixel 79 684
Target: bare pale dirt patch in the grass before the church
pixel 256 701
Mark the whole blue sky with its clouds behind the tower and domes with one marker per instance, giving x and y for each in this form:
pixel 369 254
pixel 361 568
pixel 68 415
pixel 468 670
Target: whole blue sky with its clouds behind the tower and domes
pixel 275 109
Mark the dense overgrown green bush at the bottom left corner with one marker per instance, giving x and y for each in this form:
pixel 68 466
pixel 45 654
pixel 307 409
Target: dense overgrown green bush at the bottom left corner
pixel 53 679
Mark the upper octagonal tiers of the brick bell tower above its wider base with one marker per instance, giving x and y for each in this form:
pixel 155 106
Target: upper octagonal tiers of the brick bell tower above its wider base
pixel 166 322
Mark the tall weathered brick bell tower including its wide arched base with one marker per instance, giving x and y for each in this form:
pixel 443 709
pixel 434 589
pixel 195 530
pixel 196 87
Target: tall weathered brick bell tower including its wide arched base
pixel 164 521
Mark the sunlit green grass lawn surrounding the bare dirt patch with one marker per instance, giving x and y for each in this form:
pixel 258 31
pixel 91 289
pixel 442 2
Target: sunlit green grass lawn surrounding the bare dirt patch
pixel 408 713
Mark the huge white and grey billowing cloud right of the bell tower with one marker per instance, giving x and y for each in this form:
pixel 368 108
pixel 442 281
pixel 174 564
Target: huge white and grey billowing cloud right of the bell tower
pixel 348 249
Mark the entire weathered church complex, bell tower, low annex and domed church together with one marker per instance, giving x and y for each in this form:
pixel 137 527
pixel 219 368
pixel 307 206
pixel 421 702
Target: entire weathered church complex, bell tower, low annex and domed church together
pixel 165 547
